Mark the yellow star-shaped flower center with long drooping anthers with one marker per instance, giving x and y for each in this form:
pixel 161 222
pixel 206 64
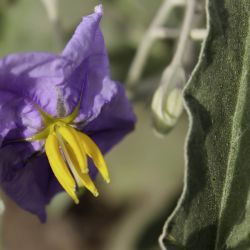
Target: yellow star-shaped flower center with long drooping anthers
pixel 68 150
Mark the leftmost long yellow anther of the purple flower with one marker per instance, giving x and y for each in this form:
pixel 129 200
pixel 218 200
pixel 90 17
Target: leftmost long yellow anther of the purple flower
pixel 59 167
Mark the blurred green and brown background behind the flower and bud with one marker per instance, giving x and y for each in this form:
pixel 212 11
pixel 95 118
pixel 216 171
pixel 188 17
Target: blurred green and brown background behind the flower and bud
pixel 146 171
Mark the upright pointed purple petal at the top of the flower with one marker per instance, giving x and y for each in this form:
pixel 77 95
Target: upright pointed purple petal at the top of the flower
pixel 89 72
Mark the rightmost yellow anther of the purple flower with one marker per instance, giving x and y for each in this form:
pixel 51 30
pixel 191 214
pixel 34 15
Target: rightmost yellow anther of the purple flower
pixel 94 152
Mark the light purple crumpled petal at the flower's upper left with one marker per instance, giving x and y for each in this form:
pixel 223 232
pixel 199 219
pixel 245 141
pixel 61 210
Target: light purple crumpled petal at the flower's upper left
pixel 25 79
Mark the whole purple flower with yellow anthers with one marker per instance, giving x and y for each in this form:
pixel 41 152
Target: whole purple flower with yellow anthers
pixel 67 111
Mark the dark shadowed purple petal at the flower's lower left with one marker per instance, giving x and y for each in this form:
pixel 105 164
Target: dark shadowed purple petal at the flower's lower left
pixel 31 184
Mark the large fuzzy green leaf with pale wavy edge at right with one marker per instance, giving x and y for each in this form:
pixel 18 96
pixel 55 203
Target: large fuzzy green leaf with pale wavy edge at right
pixel 214 210
